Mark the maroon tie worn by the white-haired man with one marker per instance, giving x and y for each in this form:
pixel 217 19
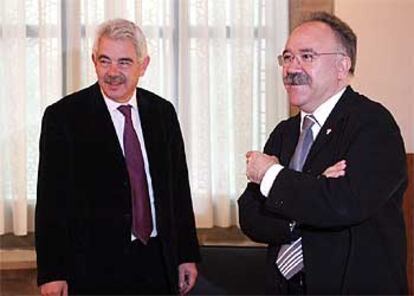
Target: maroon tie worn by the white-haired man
pixel 141 212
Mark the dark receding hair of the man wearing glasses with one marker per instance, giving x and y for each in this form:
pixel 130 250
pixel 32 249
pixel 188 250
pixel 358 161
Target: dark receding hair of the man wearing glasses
pixel 343 32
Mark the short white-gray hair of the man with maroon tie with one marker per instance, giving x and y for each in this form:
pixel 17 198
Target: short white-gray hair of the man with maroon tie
pixel 121 29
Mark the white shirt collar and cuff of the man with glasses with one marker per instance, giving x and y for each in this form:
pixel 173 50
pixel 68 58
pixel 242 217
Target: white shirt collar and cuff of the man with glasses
pixel 321 114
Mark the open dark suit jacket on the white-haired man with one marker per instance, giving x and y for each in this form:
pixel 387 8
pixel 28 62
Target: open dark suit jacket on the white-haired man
pixel 83 211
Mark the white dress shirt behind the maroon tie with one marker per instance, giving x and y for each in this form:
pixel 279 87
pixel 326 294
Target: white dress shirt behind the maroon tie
pixel 118 120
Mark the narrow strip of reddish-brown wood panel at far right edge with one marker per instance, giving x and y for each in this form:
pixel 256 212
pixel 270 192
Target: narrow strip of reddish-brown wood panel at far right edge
pixel 409 220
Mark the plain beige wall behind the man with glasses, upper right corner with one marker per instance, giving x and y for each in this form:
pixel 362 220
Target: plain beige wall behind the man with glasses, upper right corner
pixel 385 63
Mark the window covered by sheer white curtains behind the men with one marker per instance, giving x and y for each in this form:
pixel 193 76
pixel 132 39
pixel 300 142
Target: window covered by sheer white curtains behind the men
pixel 215 60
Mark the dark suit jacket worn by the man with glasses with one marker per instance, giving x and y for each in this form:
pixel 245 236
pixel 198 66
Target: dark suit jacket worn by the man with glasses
pixel 352 228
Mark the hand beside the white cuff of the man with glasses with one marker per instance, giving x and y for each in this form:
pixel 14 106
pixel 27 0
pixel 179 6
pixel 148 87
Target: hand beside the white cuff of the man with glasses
pixel 257 164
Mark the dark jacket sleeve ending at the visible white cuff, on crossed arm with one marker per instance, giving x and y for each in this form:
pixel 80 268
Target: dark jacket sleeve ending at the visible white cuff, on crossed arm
pixel 375 175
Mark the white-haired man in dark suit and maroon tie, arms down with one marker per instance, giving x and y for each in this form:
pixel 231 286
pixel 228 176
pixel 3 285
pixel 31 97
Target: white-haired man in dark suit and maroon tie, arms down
pixel 114 212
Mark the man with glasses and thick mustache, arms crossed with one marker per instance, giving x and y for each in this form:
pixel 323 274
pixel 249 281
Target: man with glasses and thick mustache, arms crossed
pixel 326 195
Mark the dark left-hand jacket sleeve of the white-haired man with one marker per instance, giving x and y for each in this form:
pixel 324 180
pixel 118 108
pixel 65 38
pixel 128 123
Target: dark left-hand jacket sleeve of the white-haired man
pixel 50 215
